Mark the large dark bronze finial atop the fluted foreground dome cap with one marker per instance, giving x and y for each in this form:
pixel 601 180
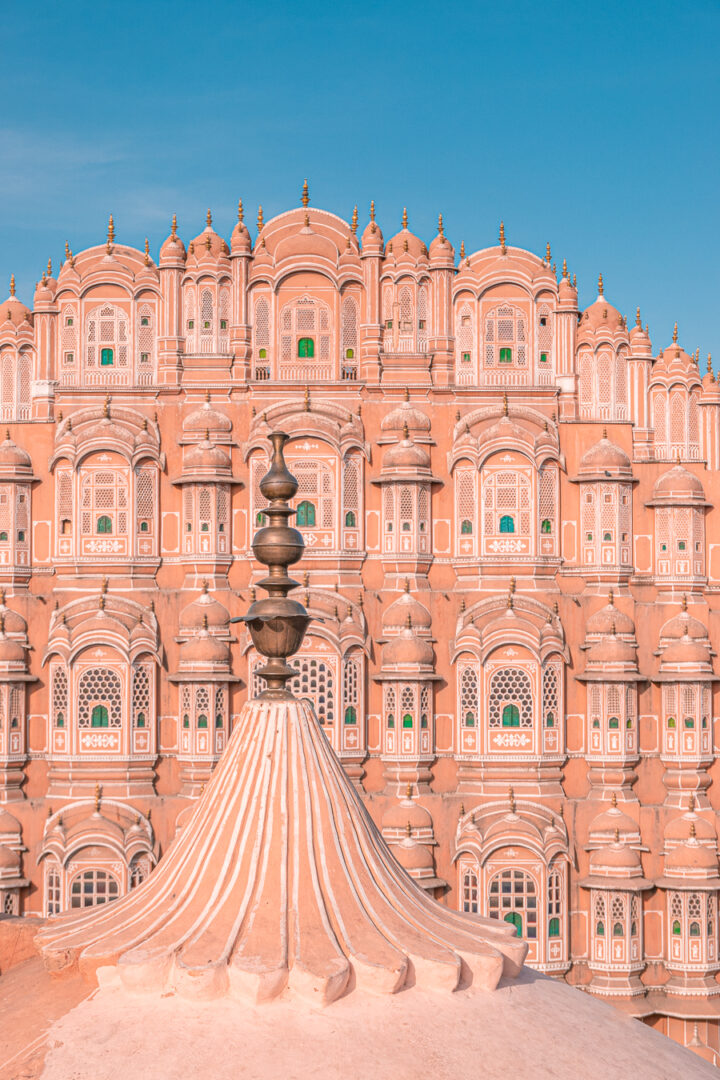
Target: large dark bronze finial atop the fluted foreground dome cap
pixel 277 624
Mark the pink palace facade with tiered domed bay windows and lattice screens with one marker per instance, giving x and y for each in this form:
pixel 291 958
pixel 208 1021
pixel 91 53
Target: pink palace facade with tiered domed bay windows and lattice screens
pixel 509 509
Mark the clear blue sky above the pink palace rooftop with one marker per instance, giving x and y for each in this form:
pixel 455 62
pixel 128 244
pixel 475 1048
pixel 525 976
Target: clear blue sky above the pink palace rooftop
pixel 593 127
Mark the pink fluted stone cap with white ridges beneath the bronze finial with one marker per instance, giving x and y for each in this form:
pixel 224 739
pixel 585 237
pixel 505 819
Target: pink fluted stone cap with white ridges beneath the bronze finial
pixel 281 880
